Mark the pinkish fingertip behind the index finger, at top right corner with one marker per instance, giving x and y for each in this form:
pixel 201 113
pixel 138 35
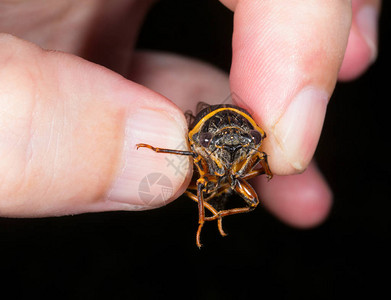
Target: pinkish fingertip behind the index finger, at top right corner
pixel 361 50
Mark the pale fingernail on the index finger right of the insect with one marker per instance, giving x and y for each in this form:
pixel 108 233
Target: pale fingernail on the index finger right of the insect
pixel 298 130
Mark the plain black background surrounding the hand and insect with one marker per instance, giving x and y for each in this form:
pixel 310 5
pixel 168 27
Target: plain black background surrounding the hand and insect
pixel 152 254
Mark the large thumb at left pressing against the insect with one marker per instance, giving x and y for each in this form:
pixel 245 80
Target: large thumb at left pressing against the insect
pixel 68 130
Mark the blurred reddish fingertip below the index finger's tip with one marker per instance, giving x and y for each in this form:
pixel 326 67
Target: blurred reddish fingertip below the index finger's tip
pixel 302 200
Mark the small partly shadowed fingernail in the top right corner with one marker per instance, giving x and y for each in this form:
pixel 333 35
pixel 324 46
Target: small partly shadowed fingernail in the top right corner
pixel 367 23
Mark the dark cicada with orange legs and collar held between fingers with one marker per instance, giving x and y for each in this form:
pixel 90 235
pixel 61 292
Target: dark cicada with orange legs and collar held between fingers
pixel 225 143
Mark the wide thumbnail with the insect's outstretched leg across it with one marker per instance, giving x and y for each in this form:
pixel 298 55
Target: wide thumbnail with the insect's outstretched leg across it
pixel 147 179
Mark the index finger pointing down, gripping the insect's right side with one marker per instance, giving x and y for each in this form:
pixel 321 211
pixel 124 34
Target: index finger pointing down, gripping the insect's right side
pixel 286 58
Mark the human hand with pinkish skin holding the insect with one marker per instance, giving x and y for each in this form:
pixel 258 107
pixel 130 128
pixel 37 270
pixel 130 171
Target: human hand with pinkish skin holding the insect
pixel 70 119
